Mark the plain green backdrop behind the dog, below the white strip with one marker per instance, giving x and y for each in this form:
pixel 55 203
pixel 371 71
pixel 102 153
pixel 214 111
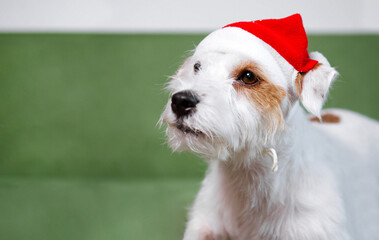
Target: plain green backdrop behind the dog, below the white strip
pixel 81 156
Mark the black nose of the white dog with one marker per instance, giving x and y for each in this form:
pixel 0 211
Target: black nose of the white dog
pixel 183 103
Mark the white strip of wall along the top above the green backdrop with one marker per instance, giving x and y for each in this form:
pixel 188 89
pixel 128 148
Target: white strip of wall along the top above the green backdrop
pixel 181 16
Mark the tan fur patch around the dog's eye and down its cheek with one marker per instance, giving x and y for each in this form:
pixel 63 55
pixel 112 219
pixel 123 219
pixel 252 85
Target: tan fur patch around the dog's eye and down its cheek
pixel 266 95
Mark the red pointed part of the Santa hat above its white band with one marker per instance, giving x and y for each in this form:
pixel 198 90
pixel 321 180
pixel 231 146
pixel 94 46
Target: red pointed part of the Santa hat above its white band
pixel 286 35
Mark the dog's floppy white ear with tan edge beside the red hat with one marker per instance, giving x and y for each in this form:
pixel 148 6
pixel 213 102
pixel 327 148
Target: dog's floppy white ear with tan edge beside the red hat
pixel 313 86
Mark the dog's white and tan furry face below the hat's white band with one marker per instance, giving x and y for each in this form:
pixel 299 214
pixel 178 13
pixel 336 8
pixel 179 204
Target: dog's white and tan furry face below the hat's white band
pixel 223 103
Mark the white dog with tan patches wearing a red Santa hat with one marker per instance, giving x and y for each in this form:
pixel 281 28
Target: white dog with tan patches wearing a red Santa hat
pixel 235 102
